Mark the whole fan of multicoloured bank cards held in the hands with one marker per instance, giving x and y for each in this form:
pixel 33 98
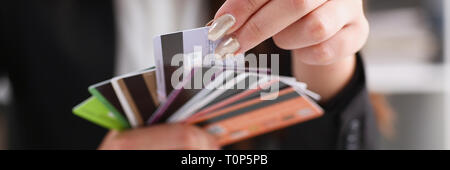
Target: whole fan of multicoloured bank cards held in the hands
pixel 232 102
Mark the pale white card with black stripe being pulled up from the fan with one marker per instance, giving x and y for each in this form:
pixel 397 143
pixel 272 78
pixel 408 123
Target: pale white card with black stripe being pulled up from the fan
pixel 193 44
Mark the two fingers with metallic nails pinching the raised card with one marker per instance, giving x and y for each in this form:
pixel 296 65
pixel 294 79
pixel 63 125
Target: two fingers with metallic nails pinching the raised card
pixel 260 21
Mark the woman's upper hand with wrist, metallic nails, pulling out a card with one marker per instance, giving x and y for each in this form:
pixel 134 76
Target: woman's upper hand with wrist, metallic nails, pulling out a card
pixel 324 35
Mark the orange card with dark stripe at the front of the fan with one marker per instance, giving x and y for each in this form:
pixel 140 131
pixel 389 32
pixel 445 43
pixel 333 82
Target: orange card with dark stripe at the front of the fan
pixel 259 116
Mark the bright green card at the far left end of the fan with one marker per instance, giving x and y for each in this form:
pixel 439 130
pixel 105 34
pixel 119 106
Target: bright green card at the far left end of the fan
pixel 94 111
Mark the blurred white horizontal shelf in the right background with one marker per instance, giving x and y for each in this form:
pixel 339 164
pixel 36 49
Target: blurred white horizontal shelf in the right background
pixel 407 78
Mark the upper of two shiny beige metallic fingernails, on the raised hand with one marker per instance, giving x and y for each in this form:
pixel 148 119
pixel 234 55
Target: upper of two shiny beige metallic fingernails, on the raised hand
pixel 220 27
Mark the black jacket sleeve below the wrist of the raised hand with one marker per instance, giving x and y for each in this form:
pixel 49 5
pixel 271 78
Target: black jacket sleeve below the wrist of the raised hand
pixel 354 113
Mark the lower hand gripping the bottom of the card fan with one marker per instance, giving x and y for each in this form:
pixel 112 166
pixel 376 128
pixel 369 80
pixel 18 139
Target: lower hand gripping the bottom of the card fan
pixel 160 137
